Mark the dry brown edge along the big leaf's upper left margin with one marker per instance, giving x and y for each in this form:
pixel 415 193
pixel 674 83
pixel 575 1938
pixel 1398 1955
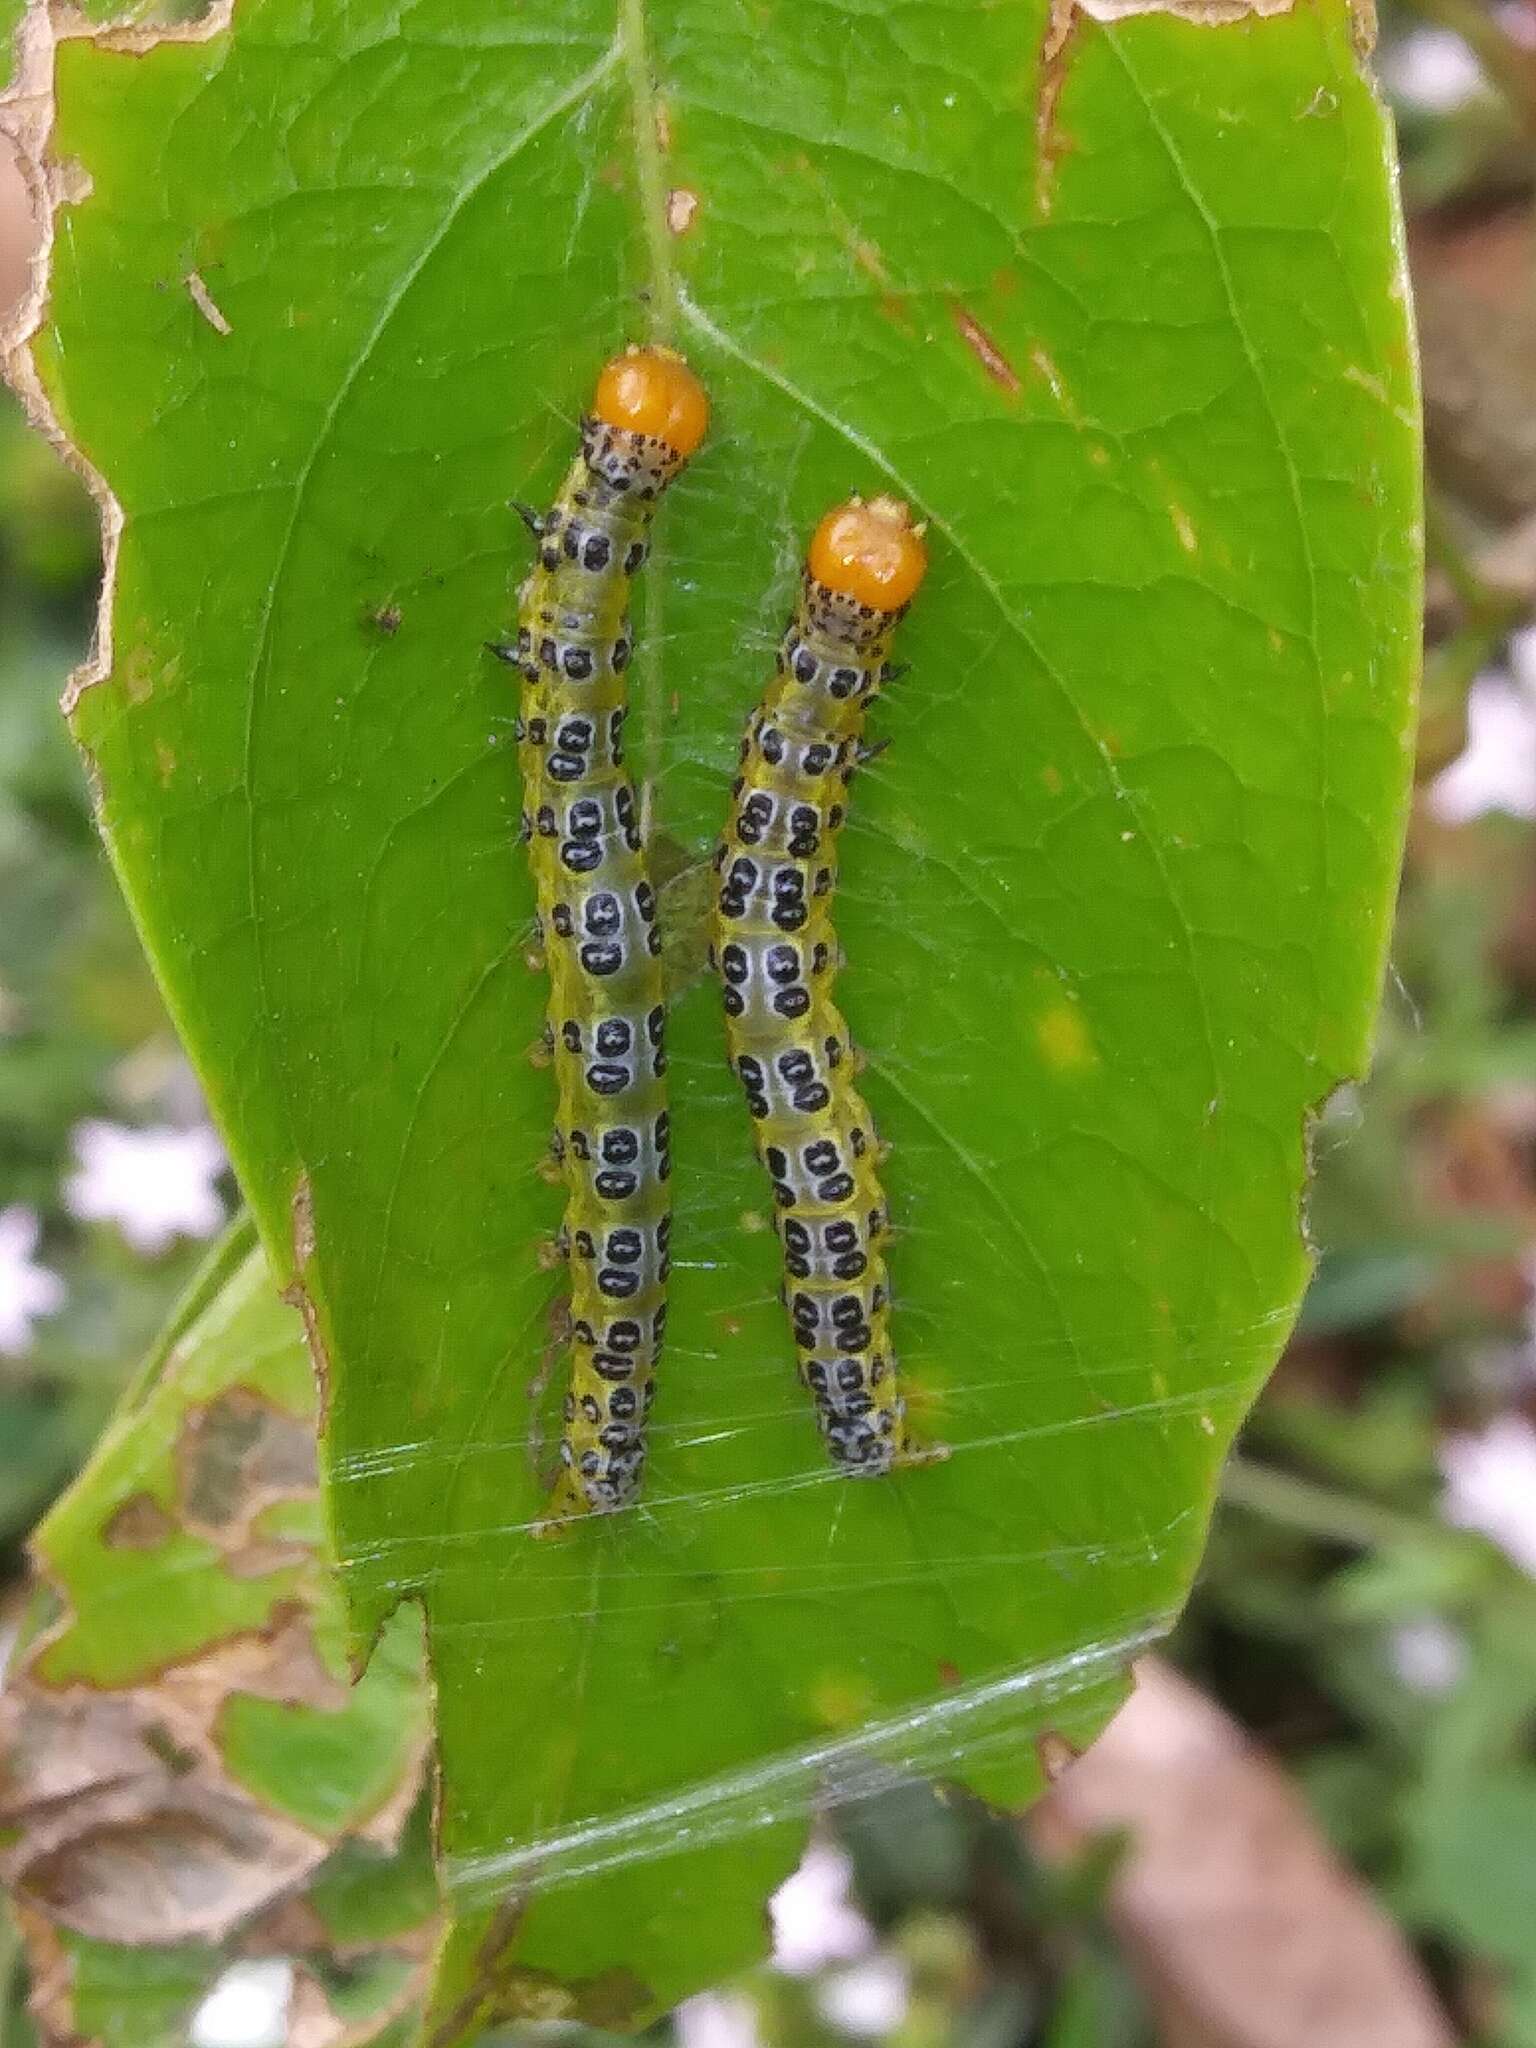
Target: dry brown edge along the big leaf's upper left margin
pixel 28 120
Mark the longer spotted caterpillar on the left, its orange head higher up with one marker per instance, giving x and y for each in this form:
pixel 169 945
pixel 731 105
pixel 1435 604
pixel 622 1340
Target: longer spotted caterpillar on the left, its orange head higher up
pixel 595 912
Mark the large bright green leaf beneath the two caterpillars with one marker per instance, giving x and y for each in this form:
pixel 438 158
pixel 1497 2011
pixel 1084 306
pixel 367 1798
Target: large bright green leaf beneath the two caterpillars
pixel 1129 331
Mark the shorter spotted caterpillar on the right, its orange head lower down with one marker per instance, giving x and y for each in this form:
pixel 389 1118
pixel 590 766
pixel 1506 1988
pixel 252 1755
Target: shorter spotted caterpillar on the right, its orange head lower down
pixel 775 951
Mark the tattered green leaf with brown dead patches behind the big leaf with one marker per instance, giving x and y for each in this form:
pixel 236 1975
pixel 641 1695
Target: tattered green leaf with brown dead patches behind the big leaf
pixel 183 1754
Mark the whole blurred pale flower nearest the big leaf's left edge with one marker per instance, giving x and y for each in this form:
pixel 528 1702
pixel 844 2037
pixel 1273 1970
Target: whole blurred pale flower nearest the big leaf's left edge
pixel 155 1185
